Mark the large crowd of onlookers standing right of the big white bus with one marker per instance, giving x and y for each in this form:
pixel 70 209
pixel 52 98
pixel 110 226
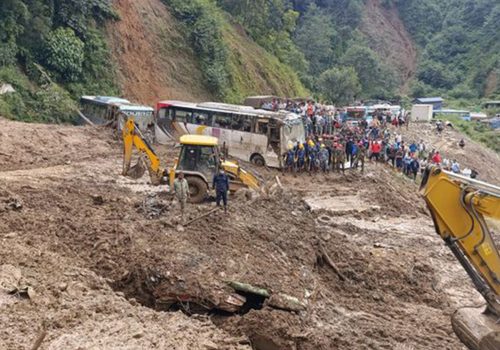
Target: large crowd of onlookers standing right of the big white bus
pixel 332 144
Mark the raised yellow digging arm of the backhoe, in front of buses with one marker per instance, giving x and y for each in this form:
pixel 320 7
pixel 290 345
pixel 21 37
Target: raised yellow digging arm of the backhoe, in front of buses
pixel 132 137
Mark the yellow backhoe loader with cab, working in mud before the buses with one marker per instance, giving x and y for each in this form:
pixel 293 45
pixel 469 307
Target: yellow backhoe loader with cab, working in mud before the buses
pixel 199 160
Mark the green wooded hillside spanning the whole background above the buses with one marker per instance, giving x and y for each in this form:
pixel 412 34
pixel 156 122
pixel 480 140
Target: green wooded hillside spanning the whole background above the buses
pixel 53 51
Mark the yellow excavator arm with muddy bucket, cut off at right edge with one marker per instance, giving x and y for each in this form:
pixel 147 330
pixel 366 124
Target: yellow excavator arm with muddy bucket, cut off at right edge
pixel 463 209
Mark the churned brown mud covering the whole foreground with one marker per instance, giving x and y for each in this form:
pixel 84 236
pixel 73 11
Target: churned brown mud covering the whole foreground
pixel 90 245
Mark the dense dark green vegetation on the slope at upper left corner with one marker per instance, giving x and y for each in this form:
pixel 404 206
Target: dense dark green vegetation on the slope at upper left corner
pixel 51 51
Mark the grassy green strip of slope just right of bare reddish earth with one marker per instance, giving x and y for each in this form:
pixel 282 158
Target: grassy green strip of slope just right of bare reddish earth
pixel 233 65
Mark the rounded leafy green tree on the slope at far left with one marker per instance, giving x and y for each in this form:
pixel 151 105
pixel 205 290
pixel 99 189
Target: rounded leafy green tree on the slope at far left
pixel 65 53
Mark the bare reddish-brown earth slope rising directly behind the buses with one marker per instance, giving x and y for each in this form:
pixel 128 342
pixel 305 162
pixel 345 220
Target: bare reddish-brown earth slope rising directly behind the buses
pixel 153 56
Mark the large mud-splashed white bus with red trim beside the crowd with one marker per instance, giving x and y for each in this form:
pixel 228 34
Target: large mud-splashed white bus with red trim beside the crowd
pixel 249 134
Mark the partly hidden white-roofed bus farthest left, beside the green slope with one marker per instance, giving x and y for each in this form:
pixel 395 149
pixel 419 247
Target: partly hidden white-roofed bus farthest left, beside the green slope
pixel 107 109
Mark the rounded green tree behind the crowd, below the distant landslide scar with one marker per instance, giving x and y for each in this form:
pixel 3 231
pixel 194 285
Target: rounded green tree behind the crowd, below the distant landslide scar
pixel 340 85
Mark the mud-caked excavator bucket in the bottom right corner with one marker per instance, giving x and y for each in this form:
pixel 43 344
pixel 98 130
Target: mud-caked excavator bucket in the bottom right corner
pixel 476 328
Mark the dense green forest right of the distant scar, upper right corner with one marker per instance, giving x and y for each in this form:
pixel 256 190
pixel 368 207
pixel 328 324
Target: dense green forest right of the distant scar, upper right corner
pixel 460 46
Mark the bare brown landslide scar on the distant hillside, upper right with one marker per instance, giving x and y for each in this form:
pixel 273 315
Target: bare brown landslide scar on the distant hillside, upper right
pixel 387 35
